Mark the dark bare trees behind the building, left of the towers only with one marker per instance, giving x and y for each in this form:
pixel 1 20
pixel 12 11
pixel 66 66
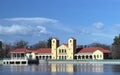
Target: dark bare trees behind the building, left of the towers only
pixel 5 48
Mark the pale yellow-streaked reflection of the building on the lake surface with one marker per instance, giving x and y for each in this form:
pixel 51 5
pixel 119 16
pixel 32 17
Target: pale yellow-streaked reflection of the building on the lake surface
pixel 58 68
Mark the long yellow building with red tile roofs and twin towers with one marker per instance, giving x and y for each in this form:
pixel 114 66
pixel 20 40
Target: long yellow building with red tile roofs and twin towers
pixel 62 52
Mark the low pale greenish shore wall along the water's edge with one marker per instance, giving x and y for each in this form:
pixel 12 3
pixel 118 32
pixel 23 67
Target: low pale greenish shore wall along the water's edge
pixel 76 61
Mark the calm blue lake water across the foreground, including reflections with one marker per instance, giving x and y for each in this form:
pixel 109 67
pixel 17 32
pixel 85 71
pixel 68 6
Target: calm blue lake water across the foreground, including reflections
pixel 61 69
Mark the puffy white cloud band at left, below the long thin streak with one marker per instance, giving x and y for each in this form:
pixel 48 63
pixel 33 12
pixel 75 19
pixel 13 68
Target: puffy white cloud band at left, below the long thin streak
pixel 22 30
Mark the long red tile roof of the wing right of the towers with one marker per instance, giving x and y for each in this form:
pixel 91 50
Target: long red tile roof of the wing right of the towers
pixel 92 49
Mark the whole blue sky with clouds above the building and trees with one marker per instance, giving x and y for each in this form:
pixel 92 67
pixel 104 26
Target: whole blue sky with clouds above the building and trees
pixel 86 20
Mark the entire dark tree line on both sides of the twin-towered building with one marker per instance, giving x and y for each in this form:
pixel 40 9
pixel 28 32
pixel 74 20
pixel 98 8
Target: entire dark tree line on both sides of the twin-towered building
pixel 5 48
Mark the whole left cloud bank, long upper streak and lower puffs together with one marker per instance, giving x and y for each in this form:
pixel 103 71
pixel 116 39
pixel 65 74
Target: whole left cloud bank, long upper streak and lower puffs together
pixel 33 26
